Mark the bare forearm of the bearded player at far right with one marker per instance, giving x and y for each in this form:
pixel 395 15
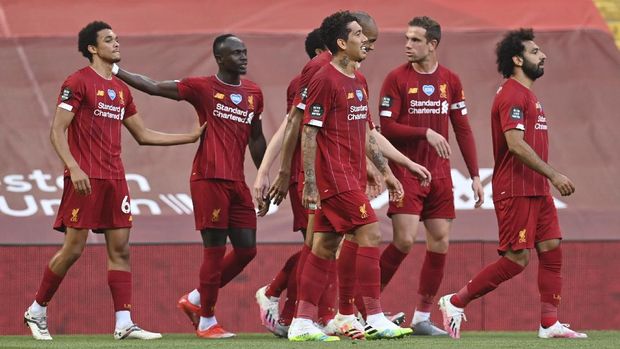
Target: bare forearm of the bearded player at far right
pixel 519 147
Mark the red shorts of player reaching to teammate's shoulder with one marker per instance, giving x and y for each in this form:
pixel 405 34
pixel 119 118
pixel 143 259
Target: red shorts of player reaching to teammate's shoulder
pixel 222 204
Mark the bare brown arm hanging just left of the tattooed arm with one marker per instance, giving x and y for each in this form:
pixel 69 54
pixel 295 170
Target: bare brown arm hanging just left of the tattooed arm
pixel 280 185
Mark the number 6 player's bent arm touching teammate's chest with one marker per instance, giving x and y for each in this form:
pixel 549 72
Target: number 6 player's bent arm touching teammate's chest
pixel 146 136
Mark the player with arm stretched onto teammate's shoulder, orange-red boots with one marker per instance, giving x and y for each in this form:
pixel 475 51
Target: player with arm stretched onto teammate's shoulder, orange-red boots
pixel 223 207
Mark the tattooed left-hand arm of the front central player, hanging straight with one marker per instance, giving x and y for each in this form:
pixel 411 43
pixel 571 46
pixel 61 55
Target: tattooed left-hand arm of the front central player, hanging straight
pixel 310 198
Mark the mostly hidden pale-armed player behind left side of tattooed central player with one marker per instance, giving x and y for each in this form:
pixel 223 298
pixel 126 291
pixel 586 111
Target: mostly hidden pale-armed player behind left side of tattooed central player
pixel 268 296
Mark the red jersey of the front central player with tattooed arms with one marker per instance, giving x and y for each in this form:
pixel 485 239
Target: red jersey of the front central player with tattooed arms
pixel 338 104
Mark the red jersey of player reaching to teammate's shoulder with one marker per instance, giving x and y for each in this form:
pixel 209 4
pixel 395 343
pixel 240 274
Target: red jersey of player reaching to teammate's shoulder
pixel 229 111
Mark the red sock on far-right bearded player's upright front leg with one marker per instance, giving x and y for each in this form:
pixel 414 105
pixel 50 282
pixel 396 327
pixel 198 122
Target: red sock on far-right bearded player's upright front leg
pixel 550 285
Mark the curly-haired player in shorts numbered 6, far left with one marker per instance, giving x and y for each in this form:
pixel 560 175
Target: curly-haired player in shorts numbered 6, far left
pixel 91 108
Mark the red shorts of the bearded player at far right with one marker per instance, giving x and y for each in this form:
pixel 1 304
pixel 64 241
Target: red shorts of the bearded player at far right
pixel 525 220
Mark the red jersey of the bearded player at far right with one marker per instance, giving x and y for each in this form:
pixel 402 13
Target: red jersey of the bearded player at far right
pixel 516 107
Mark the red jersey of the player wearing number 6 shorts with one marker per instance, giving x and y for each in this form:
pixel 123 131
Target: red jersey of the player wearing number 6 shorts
pixel 94 135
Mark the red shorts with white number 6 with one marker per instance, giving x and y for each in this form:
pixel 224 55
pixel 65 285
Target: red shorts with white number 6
pixel 107 206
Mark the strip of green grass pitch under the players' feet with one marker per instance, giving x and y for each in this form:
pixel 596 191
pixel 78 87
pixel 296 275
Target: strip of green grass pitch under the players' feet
pixel 477 340
